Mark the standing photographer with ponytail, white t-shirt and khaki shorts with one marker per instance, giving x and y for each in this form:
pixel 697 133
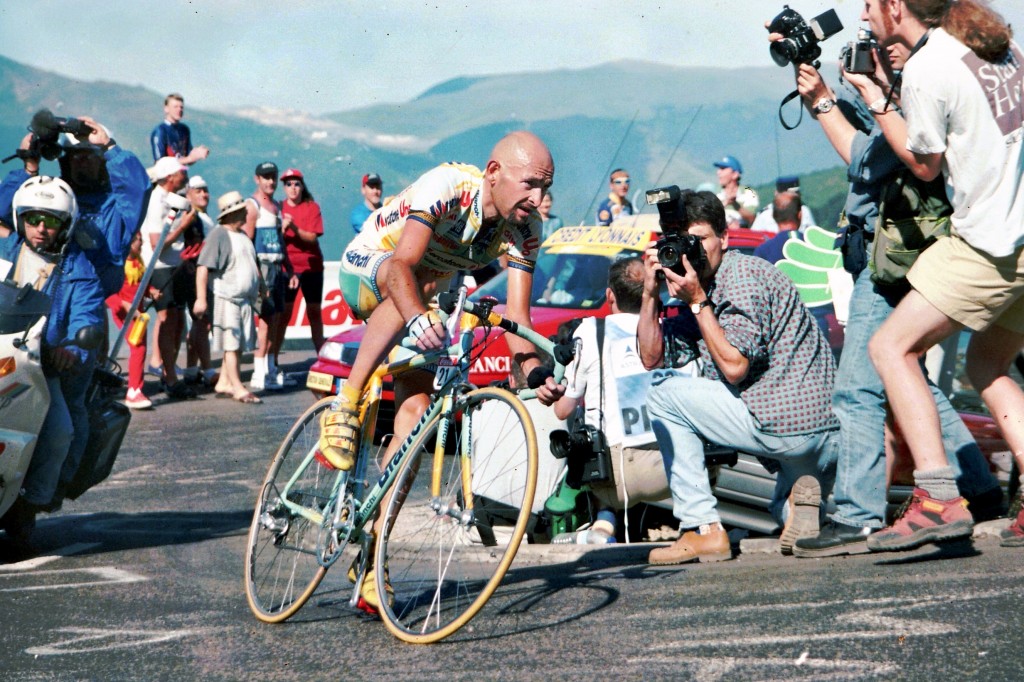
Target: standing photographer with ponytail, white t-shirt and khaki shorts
pixel 965 118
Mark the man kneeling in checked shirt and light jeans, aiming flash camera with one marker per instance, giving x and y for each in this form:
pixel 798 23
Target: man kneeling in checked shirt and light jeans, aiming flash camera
pixel 766 372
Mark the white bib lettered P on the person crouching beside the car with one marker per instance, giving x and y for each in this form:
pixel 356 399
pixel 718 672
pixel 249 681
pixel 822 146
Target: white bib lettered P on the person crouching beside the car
pixel 626 380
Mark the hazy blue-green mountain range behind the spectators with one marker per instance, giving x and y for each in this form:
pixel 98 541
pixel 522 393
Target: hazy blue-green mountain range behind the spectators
pixel 665 124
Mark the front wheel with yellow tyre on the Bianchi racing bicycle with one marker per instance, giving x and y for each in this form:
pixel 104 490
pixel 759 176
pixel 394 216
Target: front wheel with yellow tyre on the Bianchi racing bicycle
pixel 445 556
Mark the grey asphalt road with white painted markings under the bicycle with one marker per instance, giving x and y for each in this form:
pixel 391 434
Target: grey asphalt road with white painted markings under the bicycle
pixel 142 580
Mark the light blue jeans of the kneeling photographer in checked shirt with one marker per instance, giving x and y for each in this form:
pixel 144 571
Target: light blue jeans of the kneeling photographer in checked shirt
pixel 686 412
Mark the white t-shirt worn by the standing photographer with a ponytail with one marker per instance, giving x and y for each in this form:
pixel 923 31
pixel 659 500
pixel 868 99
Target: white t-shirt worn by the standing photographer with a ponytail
pixel 970 111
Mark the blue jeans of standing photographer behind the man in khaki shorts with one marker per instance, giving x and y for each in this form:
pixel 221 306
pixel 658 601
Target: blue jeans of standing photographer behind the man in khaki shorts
pixel 860 403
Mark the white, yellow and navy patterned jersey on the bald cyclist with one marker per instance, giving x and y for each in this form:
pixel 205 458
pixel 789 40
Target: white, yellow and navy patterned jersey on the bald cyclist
pixel 448 200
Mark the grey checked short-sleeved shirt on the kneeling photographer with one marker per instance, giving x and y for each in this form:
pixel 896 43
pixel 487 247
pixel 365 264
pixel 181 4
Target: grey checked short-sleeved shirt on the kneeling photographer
pixel 789 387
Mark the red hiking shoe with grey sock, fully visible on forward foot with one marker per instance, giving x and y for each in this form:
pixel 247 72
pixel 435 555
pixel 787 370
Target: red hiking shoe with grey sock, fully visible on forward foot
pixel 922 521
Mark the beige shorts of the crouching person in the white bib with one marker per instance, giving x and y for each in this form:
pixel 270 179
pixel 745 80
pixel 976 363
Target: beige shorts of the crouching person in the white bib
pixel 638 476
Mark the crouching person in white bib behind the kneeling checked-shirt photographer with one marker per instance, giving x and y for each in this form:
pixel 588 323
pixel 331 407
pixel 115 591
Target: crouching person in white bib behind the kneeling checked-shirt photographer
pixel 610 379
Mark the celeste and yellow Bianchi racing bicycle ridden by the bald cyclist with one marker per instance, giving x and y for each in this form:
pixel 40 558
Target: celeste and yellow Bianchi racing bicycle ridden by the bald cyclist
pixel 463 487
